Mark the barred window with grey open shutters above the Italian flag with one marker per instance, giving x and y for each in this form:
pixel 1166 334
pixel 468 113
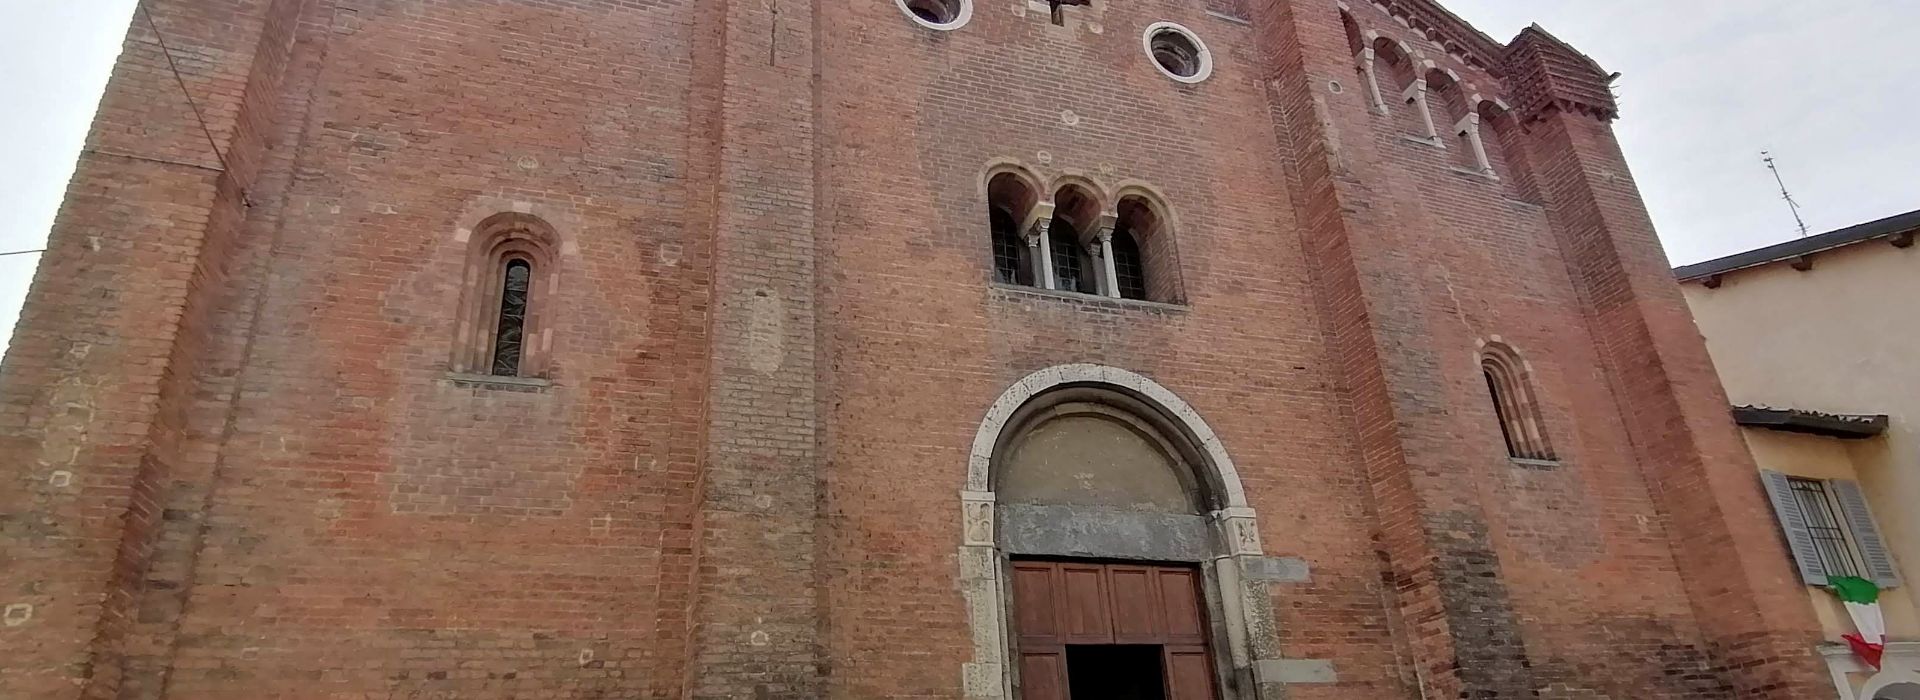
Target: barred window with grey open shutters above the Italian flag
pixel 1831 530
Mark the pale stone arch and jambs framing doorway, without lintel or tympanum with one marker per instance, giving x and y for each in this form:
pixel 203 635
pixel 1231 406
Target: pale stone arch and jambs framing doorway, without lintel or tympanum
pixel 1239 605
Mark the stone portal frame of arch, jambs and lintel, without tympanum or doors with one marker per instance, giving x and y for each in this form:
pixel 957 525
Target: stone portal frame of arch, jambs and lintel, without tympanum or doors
pixel 1222 542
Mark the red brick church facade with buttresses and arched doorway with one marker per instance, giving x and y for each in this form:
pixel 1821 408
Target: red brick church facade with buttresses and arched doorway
pixel 869 350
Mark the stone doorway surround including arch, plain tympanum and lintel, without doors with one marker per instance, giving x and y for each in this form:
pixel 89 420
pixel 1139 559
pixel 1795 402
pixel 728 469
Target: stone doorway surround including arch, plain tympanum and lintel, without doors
pixel 1099 463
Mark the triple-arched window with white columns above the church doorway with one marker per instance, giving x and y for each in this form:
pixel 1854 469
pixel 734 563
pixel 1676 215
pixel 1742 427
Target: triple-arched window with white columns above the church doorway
pixel 1068 241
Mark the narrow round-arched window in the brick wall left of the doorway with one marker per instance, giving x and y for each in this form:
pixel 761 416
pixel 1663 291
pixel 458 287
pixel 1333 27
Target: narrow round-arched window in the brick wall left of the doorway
pixel 506 298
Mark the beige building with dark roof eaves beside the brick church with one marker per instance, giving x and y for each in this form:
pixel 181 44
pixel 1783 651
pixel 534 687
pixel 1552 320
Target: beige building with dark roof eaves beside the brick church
pixel 1817 346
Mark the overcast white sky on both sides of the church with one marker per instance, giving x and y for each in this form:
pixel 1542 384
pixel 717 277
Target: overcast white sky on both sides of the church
pixel 1710 83
